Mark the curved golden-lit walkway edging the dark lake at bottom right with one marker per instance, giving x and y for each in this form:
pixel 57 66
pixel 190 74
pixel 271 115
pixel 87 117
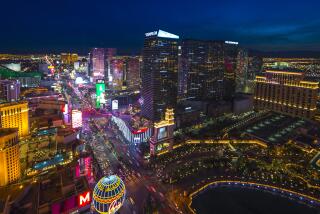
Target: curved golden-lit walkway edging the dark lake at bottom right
pixel 264 187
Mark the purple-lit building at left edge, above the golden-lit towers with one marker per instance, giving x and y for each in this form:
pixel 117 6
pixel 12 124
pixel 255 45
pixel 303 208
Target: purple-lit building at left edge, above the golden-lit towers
pixel 9 90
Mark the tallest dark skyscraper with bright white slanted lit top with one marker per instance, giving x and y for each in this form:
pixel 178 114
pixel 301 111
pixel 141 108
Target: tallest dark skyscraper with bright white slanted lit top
pixel 159 74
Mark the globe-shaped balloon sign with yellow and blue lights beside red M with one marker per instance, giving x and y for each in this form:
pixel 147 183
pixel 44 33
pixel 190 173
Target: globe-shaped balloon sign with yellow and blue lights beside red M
pixel 109 195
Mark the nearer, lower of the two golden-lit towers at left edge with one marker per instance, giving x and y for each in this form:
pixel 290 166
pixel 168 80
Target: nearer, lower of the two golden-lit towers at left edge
pixel 9 156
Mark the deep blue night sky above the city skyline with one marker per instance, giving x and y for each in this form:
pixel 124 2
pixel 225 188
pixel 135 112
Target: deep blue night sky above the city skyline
pixel 70 25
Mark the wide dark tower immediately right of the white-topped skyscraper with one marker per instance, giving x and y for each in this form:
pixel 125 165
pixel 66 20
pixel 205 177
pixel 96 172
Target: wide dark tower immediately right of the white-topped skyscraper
pixel 202 64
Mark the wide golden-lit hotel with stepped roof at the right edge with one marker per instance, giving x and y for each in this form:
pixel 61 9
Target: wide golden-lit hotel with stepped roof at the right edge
pixel 287 93
